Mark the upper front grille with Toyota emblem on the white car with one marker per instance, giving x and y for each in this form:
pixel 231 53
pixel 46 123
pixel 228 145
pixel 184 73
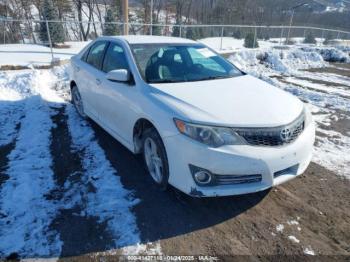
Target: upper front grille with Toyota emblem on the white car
pixel 273 136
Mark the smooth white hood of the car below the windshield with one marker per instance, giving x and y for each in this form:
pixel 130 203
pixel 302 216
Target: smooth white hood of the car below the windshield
pixel 243 101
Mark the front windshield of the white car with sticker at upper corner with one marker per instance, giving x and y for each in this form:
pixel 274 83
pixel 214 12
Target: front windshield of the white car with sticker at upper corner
pixel 168 63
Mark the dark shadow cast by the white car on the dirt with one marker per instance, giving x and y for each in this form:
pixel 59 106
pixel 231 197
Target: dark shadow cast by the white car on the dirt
pixel 166 214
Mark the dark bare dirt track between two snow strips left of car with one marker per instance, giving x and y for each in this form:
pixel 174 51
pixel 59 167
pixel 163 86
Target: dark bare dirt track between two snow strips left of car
pixel 79 232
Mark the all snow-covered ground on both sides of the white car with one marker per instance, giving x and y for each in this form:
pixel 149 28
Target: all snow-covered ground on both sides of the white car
pixel 29 100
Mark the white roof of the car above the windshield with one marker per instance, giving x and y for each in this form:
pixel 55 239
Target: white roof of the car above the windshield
pixel 149 39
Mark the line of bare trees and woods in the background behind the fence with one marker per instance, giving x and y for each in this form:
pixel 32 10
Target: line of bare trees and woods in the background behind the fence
pixel 95 17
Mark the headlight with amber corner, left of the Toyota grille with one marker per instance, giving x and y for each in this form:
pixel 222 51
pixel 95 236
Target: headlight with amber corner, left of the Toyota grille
pixel 209 135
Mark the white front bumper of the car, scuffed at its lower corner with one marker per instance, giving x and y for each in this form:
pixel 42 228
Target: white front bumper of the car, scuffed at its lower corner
pixel 237 160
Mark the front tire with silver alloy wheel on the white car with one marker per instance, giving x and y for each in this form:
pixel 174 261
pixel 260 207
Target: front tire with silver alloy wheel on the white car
pixel 155 159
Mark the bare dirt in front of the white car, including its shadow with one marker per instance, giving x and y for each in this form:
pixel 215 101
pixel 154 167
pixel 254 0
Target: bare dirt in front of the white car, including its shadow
pixel 241 224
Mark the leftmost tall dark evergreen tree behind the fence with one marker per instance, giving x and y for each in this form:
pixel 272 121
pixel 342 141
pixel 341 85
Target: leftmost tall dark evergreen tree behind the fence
pixel 56 29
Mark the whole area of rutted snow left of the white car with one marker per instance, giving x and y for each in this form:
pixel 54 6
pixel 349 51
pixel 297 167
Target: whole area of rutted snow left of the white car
pixel 26 213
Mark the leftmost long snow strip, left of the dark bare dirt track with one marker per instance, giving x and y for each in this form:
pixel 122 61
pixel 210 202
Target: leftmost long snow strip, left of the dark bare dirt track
pixel 26 214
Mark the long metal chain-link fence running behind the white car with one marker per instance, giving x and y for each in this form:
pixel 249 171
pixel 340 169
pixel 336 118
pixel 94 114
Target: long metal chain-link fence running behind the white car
pixel 57 33
